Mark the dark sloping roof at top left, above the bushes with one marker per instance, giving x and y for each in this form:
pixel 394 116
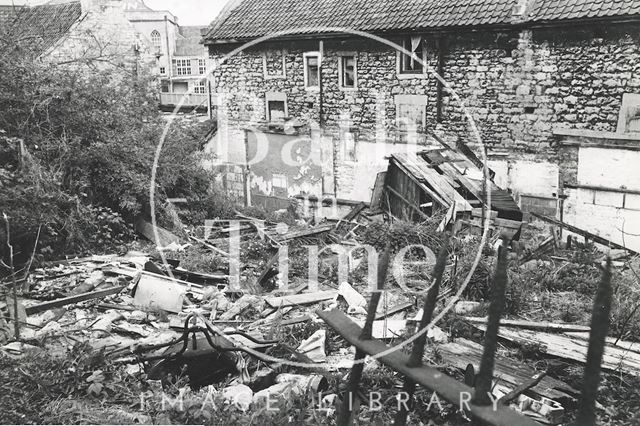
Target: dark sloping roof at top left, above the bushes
pixel 40 27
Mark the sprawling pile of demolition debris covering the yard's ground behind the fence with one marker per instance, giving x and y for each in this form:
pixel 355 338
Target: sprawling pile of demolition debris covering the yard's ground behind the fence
pixel 256 329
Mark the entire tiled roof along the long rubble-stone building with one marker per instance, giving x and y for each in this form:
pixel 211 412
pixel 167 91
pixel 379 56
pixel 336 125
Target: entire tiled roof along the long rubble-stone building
pixel 247 19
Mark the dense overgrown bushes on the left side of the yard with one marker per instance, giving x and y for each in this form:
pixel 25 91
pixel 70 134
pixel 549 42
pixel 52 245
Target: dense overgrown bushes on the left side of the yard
pixel 77 149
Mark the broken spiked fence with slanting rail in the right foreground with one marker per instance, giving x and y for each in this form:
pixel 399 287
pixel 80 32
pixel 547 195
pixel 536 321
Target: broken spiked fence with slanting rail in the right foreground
pixel 481 407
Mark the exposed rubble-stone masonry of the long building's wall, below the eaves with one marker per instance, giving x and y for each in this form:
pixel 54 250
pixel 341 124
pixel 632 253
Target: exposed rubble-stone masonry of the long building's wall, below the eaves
pixel 517 86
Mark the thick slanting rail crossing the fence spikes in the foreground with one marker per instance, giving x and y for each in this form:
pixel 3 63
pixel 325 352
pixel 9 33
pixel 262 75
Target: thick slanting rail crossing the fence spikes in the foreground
pixel 431 378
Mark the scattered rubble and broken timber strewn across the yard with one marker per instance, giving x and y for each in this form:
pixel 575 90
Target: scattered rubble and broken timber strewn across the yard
pixel 170 320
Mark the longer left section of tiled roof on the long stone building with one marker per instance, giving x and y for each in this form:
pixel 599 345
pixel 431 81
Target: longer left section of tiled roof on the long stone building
pixel 255 18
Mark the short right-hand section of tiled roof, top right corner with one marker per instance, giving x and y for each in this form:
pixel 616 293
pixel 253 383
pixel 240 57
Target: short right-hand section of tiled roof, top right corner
pixel 550 10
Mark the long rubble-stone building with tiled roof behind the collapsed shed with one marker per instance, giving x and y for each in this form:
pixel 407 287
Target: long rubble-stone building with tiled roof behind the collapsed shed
pixel 539 83
